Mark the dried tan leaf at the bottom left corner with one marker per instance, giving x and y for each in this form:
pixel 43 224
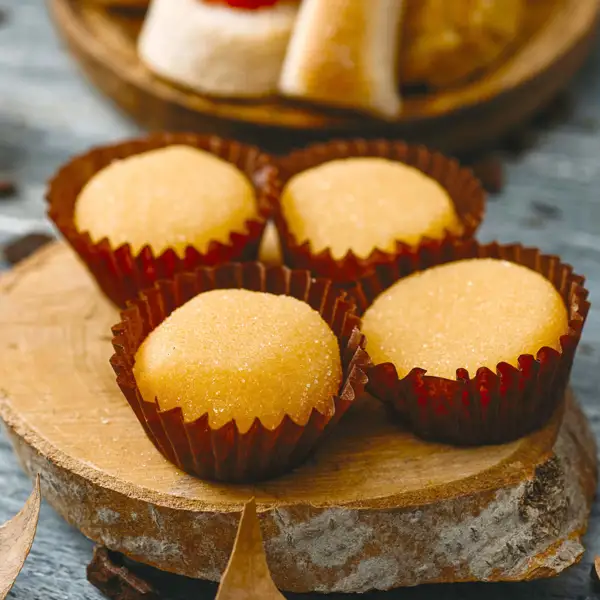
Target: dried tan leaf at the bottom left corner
pixel 16 538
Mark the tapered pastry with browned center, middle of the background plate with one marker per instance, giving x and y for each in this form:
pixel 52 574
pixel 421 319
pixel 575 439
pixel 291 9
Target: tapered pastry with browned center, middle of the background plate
pixel 344 53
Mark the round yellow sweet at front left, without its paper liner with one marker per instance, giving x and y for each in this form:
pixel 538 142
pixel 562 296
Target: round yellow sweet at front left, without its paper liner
pixel 238 354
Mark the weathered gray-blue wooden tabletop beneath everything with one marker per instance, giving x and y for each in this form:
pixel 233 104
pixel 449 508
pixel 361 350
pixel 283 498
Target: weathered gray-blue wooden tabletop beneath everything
pixel 48 113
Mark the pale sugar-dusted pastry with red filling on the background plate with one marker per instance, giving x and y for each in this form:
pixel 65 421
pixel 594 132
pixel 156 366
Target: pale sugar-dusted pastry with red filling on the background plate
pixel 218 47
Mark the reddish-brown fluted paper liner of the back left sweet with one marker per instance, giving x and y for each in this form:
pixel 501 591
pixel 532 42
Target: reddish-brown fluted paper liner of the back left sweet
pixel 120 273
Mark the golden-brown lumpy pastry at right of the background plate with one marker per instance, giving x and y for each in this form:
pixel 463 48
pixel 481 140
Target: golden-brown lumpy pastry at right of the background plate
pixel 445 42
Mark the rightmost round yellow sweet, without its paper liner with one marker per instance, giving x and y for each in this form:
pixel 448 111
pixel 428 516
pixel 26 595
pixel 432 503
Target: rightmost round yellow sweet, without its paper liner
pixel 465 314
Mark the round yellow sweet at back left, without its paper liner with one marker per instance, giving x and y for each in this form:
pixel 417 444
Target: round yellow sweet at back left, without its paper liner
pixel 176 197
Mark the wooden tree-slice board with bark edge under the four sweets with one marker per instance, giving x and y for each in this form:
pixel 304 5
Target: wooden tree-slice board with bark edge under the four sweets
pixel 373 508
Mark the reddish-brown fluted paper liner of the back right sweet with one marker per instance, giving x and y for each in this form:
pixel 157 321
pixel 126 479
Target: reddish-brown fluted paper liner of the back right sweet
pixel 462 186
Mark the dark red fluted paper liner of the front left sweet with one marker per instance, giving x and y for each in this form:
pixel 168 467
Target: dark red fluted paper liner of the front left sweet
pixel 225 454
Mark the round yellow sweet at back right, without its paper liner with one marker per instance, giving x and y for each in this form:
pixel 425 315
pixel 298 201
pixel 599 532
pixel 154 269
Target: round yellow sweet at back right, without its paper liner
pixel 360 204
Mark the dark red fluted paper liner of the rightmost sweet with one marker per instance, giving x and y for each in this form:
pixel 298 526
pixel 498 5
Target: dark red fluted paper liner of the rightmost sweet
pixel 489 407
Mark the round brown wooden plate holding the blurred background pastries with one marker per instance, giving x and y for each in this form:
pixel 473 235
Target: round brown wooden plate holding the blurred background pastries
pixel 554 43
